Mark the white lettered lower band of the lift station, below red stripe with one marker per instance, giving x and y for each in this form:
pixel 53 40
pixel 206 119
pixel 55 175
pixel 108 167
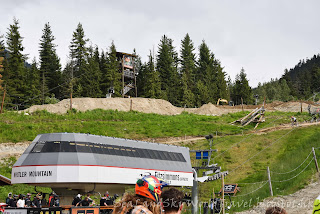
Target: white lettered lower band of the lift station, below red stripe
pixel 94 174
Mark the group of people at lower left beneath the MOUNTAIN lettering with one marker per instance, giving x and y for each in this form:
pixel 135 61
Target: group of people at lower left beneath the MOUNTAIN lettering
pixel 37 201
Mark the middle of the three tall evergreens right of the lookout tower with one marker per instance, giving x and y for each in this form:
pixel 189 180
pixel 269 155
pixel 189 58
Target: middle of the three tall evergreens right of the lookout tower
pixel 187 71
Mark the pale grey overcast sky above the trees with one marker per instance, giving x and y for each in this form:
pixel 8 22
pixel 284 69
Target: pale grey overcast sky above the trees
pixel 262 36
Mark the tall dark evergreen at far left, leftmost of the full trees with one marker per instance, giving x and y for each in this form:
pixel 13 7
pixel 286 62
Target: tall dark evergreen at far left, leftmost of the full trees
pixel 14 73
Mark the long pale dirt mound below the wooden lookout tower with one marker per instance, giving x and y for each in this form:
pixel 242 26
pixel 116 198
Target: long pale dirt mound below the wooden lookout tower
pixel 146 105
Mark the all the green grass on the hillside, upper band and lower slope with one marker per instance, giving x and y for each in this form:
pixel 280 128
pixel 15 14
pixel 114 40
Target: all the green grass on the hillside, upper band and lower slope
pixel 246 156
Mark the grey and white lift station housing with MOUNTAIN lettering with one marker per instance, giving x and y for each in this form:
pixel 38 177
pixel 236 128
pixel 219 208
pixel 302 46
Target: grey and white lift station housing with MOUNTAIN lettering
pixel 52 157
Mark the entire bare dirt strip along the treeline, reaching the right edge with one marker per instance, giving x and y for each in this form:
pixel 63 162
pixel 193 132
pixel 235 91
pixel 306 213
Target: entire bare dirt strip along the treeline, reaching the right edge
pixel 157 106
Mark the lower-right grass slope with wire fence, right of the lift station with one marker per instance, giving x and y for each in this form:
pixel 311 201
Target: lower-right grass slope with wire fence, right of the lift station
pixel 282 151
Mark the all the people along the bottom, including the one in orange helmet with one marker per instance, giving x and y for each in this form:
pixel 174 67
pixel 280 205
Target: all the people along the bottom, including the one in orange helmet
pixel 148 199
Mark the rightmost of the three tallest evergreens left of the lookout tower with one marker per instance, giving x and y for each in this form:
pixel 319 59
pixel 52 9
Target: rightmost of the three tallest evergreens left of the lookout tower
pixel 78 52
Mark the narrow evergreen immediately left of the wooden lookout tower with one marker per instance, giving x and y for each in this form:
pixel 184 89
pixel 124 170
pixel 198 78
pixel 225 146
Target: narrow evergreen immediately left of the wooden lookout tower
pixel 113 76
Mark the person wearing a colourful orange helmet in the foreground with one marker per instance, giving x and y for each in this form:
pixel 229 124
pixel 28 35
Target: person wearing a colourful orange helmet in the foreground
pixel 146 199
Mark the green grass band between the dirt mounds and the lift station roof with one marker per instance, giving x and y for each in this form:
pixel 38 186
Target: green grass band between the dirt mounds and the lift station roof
pixel 19 127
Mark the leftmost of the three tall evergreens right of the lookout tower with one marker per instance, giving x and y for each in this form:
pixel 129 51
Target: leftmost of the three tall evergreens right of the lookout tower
pixel 167 64
